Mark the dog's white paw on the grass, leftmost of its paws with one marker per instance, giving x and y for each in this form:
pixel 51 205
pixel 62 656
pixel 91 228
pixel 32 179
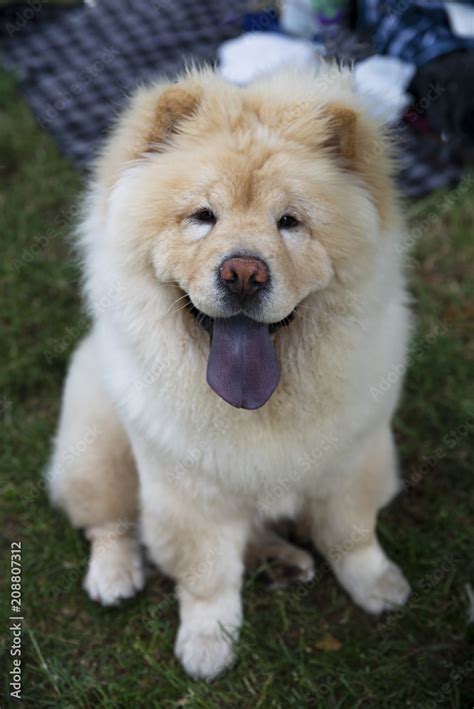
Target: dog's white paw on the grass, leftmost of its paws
pixel 115 572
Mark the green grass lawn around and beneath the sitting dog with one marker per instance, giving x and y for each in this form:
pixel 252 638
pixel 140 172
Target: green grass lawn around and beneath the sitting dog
pixel 309 646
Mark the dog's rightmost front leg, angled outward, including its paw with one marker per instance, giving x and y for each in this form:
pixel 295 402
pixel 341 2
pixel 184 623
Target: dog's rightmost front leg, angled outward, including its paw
pixel 343 527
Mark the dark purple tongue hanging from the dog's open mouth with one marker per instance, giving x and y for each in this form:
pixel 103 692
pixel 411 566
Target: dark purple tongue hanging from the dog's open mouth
pixel 242 367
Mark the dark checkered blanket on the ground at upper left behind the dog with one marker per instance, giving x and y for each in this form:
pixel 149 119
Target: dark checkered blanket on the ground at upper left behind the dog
pixel 77 67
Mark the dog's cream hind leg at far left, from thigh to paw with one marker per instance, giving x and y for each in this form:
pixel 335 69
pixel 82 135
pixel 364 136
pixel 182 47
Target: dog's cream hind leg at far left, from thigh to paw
pixel 92 477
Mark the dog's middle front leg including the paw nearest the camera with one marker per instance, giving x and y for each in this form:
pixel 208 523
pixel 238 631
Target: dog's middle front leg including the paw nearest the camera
pixel 202 550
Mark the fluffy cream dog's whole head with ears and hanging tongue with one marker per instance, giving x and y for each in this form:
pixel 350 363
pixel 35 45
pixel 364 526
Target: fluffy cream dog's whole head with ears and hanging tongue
pixel 248 200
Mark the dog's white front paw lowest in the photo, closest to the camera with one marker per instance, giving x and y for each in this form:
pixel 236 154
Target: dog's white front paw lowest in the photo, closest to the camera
pixel 204 654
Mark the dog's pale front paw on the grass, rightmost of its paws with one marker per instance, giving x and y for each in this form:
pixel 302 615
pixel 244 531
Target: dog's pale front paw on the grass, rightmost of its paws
pixel 374 583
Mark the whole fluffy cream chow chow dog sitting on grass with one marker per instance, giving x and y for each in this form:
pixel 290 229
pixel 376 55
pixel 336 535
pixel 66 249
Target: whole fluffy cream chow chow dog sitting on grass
pixel 243 265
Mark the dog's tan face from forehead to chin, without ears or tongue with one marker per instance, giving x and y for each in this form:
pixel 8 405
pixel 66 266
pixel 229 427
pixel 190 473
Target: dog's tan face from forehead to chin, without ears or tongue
pixel 239 235
